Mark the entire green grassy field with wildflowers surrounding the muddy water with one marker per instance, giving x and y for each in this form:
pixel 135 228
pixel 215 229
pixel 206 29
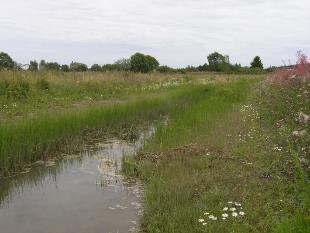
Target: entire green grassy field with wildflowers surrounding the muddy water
pixel 227 160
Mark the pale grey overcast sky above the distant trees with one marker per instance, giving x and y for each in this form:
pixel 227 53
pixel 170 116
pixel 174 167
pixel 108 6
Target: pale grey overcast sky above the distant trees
pixel 176 32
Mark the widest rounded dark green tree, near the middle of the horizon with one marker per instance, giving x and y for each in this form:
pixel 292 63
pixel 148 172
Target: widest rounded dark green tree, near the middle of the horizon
pixel 143 63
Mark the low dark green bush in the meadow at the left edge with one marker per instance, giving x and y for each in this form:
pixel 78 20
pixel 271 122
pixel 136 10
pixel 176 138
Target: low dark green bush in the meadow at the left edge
pixel 14 89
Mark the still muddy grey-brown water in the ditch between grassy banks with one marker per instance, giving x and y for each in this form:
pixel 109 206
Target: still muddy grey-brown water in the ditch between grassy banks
pixel 84 194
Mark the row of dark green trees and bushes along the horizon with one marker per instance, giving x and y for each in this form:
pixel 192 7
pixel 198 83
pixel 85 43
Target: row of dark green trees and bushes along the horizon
pixel 139 63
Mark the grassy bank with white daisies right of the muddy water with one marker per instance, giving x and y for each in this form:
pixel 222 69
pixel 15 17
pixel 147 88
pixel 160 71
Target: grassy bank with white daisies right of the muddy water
pixel 225 150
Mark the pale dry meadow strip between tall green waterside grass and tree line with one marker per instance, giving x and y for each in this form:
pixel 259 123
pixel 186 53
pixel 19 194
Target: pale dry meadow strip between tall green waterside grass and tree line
pixel 28 94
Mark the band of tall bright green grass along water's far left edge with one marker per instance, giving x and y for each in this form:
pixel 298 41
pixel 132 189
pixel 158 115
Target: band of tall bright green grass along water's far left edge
pixel 28 140
